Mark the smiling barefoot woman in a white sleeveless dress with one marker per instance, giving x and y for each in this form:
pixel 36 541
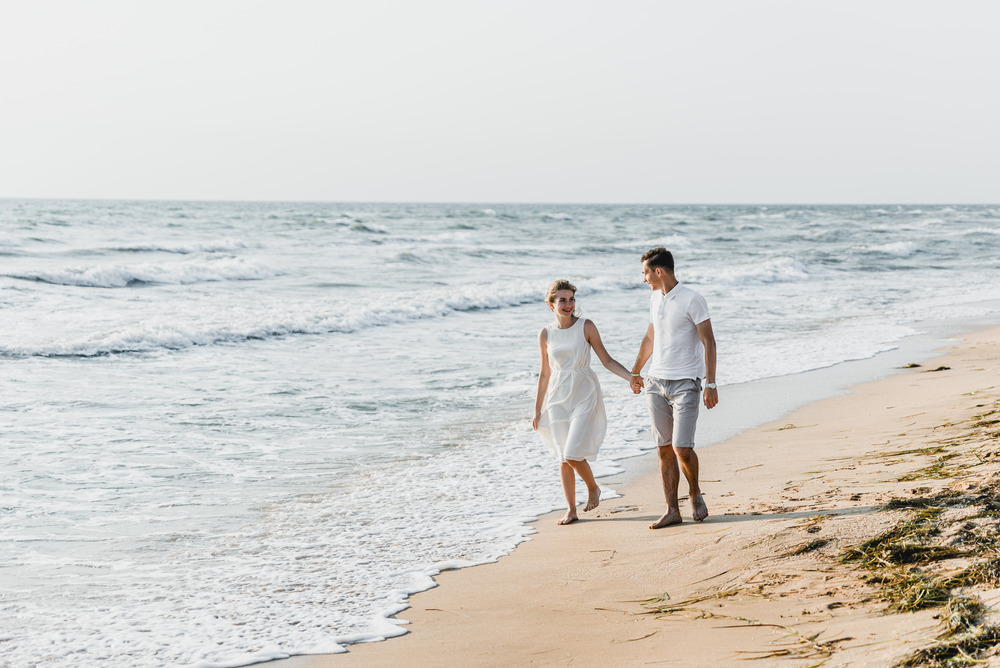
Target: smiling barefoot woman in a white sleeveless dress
pixel 569 411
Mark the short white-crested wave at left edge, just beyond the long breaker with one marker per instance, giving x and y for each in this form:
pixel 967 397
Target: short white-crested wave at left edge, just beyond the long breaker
pixel 195 270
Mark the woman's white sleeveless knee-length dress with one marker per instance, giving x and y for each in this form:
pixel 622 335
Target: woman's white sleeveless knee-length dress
pixel 573 422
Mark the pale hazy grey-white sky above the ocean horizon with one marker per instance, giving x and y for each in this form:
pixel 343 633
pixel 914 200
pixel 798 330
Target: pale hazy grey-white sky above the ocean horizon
pixel 714 101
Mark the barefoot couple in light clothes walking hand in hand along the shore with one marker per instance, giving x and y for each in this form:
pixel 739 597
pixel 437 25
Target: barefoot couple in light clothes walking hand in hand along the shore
pixel 569 411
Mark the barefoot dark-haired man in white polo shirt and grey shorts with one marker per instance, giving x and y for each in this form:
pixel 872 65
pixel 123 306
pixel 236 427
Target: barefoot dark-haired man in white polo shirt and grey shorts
pixel 680 340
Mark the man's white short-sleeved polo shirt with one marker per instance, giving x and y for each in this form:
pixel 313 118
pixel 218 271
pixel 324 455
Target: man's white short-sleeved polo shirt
pixel 678 352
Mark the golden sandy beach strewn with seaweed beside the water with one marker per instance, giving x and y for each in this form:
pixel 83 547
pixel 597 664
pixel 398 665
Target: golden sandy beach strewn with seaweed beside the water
pixel 855 531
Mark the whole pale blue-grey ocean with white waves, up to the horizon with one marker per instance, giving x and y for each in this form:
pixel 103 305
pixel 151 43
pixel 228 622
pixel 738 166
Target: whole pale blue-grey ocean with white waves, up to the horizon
pixel 233 432
